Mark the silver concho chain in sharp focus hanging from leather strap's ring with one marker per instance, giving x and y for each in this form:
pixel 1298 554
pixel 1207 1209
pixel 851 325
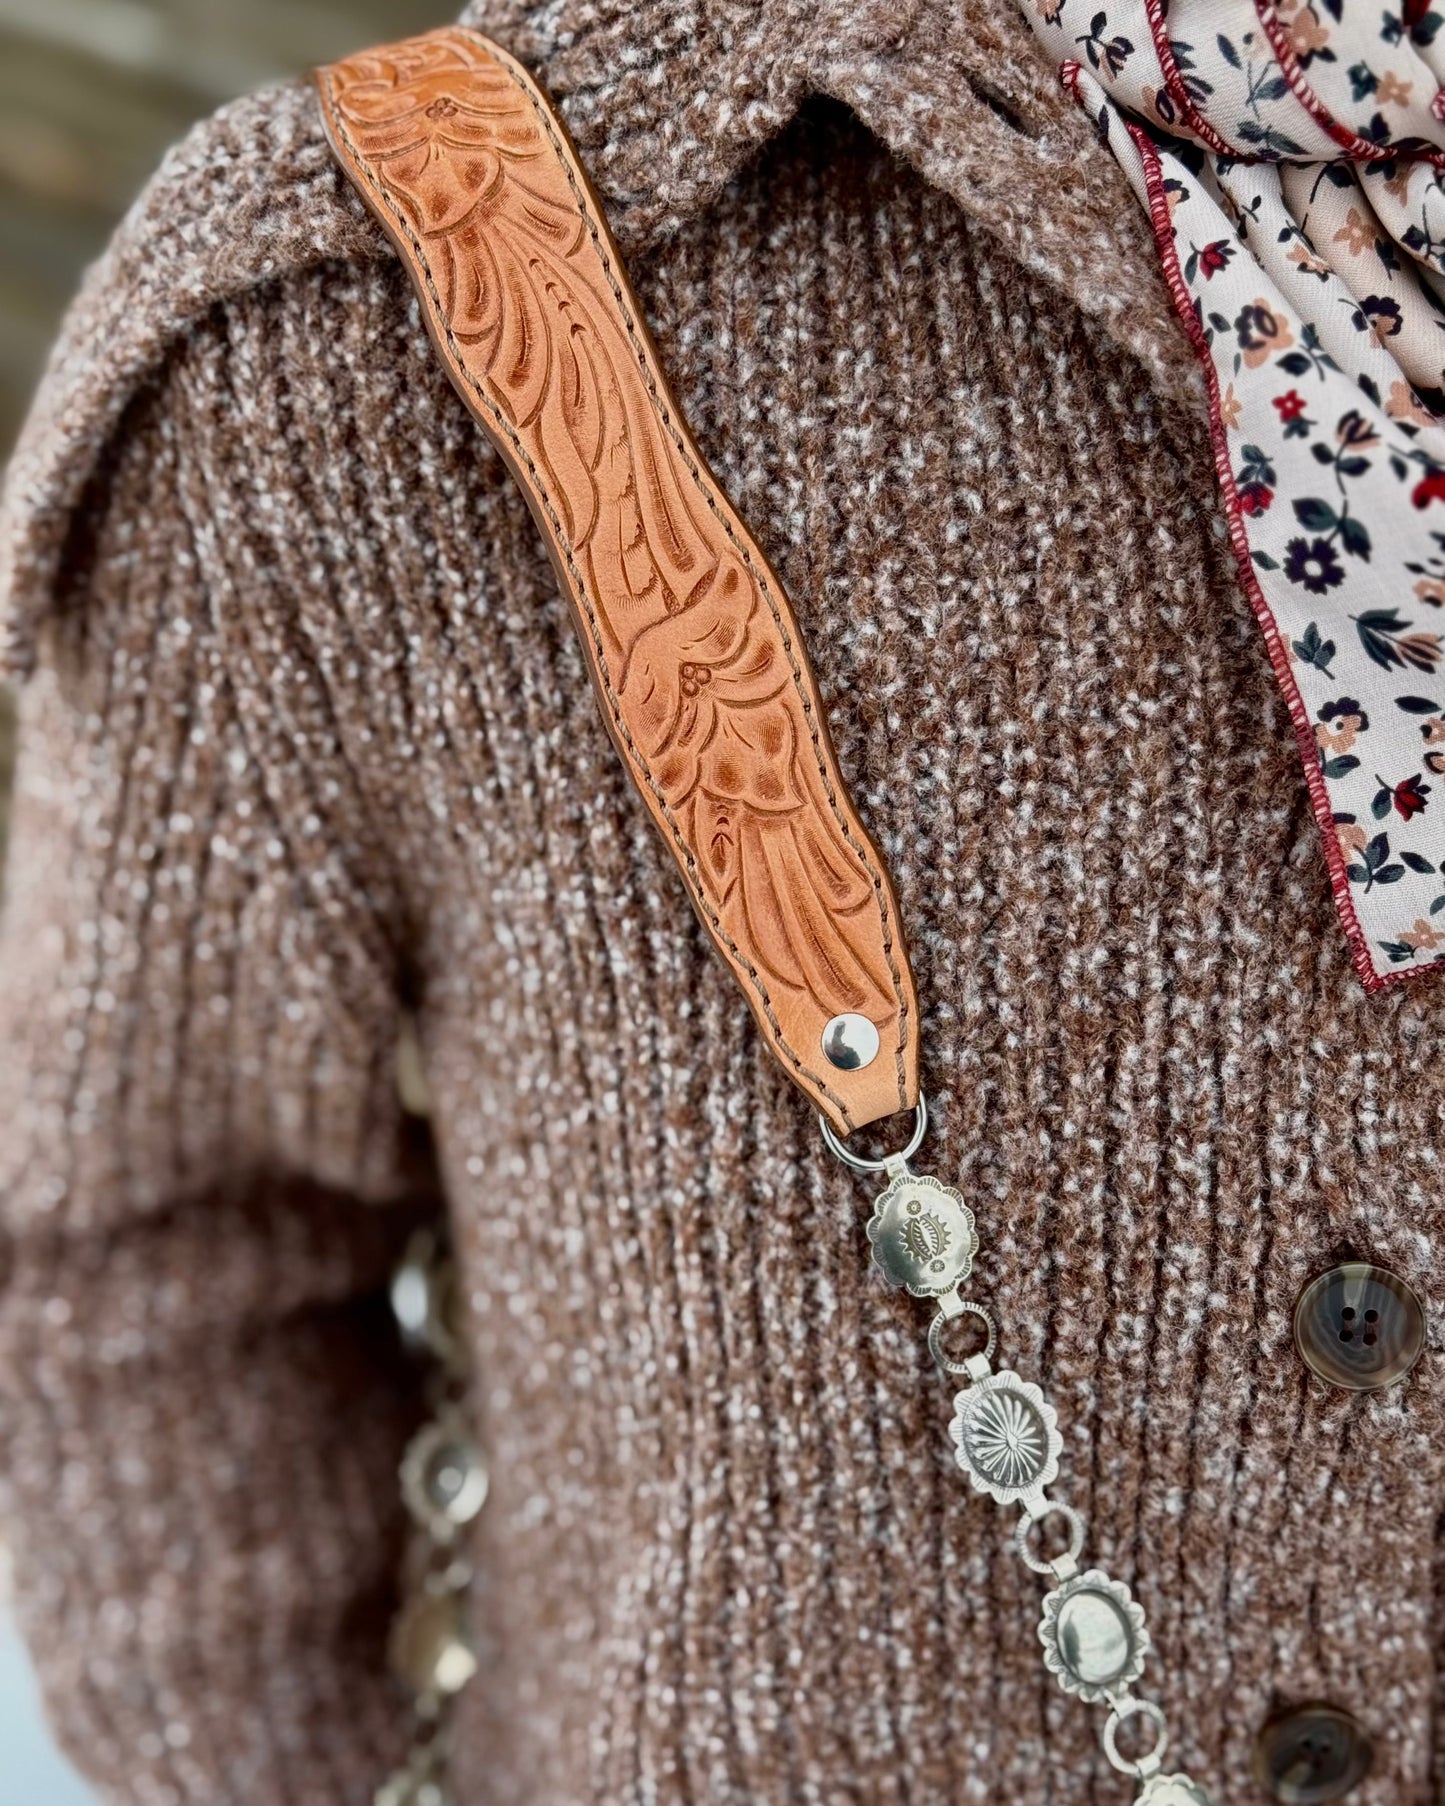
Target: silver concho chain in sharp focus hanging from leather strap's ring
pixel 1007 1444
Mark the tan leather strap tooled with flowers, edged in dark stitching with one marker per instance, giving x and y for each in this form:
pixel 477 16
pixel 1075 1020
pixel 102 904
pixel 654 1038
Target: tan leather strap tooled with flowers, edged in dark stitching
pixel 696 658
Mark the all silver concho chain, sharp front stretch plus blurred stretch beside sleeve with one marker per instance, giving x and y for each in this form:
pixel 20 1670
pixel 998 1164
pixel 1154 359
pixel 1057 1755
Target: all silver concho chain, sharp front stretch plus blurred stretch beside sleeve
pixel 1007 1444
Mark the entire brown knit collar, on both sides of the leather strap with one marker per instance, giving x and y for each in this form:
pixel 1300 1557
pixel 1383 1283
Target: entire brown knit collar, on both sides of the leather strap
pixel 667 100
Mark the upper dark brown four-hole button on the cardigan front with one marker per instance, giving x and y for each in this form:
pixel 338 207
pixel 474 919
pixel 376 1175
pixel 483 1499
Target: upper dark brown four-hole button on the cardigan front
pixel 1359 1327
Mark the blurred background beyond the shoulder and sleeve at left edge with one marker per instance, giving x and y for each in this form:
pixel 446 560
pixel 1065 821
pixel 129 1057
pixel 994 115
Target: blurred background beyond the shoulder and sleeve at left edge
pixel 91 93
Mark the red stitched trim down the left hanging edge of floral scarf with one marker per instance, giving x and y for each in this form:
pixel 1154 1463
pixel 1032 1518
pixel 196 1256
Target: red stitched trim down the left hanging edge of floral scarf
pixel 1280 658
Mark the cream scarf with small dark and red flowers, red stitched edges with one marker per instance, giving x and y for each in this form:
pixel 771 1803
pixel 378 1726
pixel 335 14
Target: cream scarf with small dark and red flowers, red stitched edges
pixel 1291 160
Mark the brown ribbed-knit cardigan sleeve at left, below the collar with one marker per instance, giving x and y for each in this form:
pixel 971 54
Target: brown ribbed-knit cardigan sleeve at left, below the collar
pixel 205 1173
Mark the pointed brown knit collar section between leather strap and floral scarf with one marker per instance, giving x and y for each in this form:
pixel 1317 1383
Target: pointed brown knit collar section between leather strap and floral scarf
pixel 667 104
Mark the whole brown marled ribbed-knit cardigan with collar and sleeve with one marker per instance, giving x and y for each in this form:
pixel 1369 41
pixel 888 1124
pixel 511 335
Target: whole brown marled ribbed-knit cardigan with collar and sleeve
pixel 312 734
